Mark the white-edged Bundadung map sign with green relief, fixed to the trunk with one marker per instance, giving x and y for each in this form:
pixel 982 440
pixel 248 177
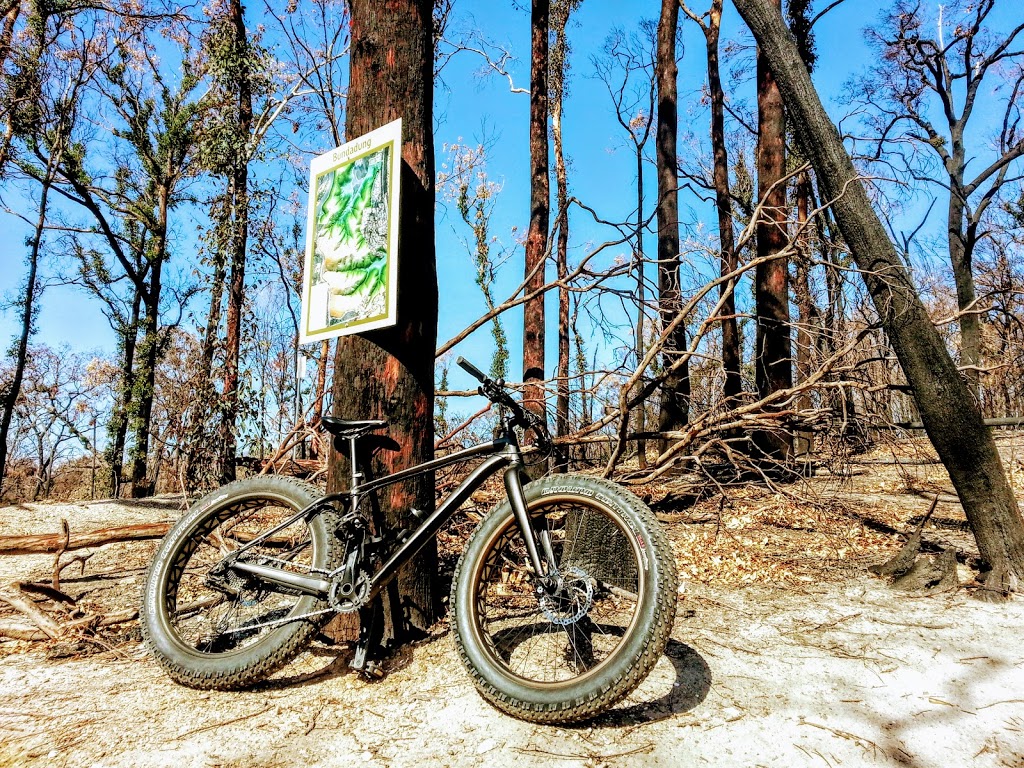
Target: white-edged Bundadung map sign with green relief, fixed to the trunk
pixel 351 274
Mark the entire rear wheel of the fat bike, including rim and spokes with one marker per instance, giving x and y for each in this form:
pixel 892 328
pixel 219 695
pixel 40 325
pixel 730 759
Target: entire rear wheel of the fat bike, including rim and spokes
pixel 211 627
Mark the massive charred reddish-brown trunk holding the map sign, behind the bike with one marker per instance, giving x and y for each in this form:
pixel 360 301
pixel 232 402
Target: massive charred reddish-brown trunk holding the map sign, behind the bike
pixel 390 374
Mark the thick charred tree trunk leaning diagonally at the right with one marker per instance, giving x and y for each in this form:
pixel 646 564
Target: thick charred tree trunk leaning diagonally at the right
pixel 949 409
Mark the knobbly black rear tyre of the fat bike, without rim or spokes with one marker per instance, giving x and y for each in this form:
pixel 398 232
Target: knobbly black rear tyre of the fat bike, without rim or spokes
pixel 246 667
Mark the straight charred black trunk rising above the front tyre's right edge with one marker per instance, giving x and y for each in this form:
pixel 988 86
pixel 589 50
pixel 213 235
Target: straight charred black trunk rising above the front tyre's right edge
pixel 675 397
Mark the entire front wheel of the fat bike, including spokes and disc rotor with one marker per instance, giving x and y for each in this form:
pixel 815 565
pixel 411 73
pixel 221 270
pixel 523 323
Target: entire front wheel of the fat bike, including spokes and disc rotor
pixel 565 655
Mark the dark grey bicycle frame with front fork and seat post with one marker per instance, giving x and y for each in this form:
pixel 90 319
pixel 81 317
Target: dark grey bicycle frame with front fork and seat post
pixel 504 452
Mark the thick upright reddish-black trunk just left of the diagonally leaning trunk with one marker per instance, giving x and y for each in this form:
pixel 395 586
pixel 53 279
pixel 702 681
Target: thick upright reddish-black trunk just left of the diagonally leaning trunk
pixel 774 357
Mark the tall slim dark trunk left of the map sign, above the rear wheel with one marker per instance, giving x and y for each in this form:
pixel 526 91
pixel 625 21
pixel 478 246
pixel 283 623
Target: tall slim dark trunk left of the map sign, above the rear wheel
pixel 239 240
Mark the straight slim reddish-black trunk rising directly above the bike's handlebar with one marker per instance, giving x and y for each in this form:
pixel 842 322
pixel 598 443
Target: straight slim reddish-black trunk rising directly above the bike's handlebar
pixel 537 237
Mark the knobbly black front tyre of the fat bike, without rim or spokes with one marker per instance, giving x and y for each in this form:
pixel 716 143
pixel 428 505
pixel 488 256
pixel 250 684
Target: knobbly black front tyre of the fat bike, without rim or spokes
pixel 631 662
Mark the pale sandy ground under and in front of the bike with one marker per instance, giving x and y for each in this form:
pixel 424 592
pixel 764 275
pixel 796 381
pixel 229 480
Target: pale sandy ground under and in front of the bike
pixel 841 672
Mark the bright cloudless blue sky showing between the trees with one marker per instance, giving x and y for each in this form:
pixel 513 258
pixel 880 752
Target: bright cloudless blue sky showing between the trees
pixel 603 168
